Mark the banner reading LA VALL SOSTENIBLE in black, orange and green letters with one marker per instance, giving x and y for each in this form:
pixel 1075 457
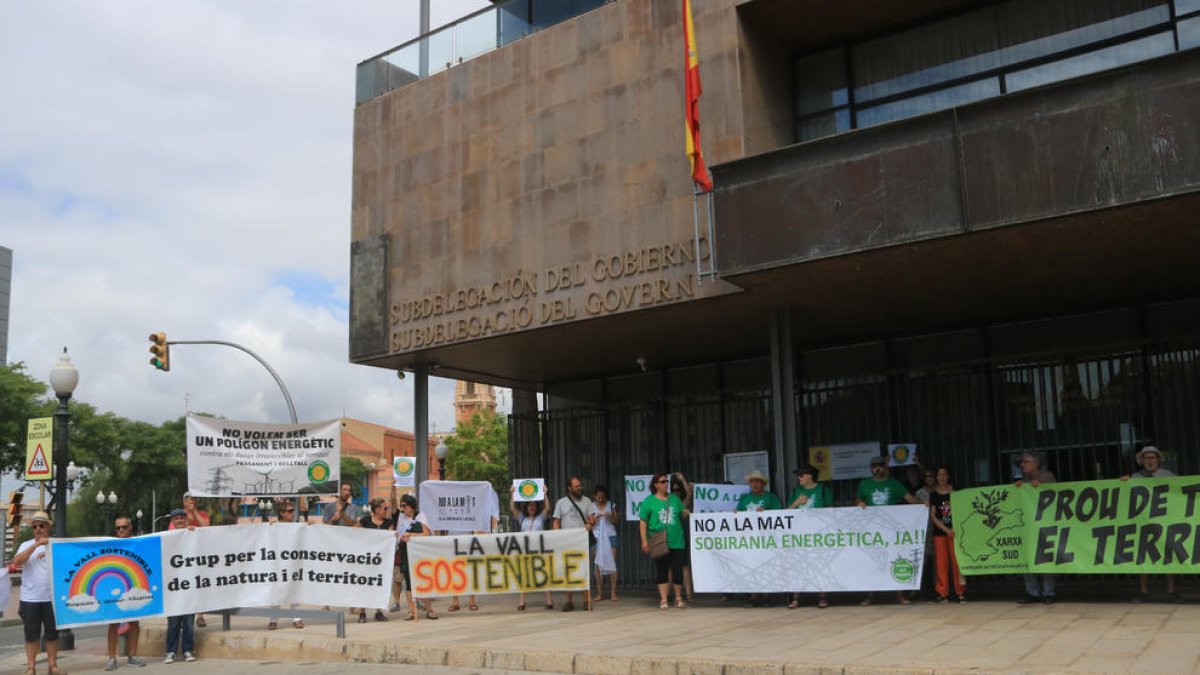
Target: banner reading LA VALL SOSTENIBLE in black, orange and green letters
pixel 554 560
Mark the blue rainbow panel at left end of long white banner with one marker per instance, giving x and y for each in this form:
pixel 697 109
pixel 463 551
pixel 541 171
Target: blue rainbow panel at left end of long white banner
pixel 107 581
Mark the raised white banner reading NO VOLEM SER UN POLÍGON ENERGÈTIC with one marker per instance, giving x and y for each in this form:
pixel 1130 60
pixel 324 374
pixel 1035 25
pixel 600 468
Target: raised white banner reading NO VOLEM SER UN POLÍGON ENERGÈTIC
pixel 232 459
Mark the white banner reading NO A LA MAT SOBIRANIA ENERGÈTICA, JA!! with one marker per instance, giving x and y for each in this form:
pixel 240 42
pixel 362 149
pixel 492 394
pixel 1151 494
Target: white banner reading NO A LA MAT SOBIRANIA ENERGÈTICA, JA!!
pixel 821 549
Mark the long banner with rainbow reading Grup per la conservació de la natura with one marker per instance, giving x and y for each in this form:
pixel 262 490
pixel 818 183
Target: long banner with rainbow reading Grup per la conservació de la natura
pixel 212 569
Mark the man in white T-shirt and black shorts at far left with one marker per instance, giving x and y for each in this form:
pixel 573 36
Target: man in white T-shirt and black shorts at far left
pixel 37 607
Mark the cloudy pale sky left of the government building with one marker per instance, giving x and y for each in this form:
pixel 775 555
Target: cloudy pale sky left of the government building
pixel 185 166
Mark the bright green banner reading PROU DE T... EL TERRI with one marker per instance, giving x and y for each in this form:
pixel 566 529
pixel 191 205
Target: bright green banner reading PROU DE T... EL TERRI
pixel 1143 527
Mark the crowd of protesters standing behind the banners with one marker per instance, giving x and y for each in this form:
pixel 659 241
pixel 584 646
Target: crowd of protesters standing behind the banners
pixel 663 534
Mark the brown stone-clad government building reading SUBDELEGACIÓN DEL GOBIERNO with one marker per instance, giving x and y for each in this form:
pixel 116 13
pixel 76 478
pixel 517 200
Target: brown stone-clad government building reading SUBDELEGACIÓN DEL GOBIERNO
pixel 959 225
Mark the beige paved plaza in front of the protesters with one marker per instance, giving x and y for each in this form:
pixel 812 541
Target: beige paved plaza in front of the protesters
pixel 634 637
